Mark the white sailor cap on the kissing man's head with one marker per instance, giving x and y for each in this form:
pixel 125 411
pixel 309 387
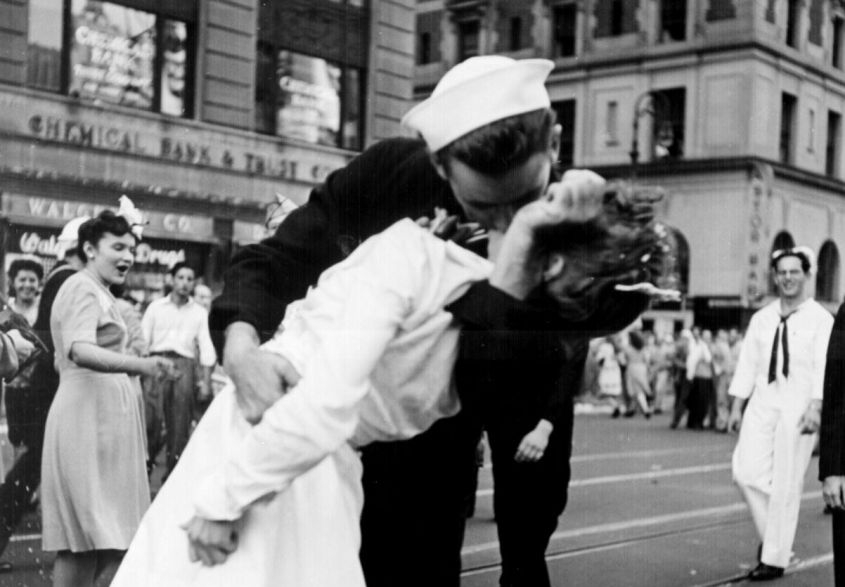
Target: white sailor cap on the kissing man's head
pixel 475 93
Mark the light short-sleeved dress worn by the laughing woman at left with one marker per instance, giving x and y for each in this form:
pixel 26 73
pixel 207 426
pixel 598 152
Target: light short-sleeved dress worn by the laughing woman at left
pixel 94 488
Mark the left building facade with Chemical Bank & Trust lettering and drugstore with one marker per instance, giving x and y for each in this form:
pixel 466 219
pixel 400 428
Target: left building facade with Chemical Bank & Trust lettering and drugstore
pixel 200 110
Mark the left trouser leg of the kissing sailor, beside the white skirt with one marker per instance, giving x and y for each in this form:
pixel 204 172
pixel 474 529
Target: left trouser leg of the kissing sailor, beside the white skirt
pixel 415 494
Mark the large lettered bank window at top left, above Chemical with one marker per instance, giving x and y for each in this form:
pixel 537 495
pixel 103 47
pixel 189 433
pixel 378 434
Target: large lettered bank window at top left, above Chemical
pixel 112 53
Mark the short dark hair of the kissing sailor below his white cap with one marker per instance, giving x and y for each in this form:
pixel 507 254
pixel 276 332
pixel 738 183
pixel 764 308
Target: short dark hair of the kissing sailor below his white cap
pixel 503 145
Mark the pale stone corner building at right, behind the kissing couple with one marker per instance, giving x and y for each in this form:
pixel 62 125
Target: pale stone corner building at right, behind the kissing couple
pixel 734 107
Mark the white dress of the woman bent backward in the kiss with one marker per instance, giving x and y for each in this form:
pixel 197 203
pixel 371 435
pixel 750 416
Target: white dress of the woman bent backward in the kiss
pixel 376 349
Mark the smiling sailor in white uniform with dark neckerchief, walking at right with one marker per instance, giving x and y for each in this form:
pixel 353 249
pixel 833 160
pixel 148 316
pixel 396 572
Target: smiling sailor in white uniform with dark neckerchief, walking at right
pixel 782 362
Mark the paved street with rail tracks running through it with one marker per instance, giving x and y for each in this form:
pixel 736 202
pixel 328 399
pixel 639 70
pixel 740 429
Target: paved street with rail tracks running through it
pixel 648 506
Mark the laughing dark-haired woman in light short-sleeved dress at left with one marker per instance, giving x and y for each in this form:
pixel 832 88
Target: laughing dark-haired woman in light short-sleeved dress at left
pixel 94 487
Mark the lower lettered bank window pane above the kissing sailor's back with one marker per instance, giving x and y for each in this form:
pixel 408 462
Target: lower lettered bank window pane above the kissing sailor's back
pixel 308 98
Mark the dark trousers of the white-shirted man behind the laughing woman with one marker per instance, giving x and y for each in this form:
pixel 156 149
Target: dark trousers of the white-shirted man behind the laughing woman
pixel 176 400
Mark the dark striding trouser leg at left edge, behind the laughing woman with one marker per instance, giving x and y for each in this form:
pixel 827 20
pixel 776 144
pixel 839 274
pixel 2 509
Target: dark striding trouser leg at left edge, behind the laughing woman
pixel 17 490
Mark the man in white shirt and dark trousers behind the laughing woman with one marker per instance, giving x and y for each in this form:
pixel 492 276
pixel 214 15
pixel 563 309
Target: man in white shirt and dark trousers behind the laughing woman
pixel 176 327
